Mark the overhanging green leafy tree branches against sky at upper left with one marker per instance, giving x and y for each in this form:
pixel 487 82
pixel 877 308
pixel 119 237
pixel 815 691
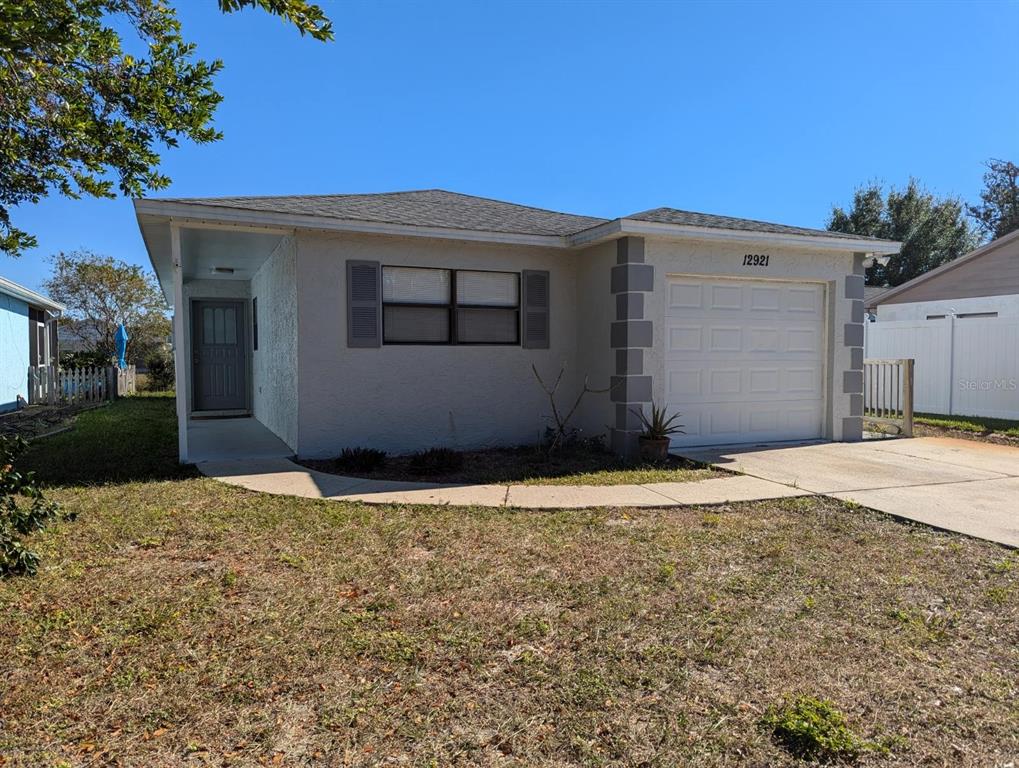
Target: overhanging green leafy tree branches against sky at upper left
pixel 81 117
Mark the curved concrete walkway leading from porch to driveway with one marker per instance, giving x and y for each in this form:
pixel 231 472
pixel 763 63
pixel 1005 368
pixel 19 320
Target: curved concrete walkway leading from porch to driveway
pixel 282 476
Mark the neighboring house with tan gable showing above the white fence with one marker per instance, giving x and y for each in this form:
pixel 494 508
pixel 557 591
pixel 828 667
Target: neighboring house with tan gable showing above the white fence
pixel 984 284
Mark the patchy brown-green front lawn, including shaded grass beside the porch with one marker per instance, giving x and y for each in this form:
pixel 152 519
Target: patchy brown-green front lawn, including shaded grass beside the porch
pixel 183 622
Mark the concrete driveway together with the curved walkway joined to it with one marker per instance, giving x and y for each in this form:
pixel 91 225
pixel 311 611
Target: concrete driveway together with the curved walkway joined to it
pixel 956 485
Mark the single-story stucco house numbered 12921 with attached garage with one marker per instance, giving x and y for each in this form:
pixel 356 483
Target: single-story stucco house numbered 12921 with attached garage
pixel 409 320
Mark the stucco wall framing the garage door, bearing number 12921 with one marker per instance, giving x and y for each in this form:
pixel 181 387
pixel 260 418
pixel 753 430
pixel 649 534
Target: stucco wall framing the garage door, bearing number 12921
pixel 693 258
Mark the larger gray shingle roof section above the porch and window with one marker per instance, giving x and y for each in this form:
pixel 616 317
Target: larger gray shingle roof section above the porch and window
pixel 428 208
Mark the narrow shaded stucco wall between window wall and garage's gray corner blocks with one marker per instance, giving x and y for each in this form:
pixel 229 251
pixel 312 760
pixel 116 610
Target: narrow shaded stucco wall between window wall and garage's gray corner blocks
pixel 596 358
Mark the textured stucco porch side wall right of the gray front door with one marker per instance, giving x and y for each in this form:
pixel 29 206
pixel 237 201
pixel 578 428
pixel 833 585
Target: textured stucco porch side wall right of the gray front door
pixel 275 364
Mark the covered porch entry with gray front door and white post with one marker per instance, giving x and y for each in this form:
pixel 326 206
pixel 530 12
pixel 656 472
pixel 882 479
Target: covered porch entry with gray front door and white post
pixel 216 275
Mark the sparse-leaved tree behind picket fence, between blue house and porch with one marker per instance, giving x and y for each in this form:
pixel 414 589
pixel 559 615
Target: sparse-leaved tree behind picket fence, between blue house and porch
pixel 101 293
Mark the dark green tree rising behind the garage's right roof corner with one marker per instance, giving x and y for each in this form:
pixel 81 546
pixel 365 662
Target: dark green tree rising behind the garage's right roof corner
pixel 932 231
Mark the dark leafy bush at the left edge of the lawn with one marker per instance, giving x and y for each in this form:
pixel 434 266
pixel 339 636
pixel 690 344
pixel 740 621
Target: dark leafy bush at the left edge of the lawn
pixel 19 520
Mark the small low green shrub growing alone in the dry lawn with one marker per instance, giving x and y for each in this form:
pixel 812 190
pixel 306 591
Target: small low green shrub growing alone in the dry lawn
pixel 815 730
